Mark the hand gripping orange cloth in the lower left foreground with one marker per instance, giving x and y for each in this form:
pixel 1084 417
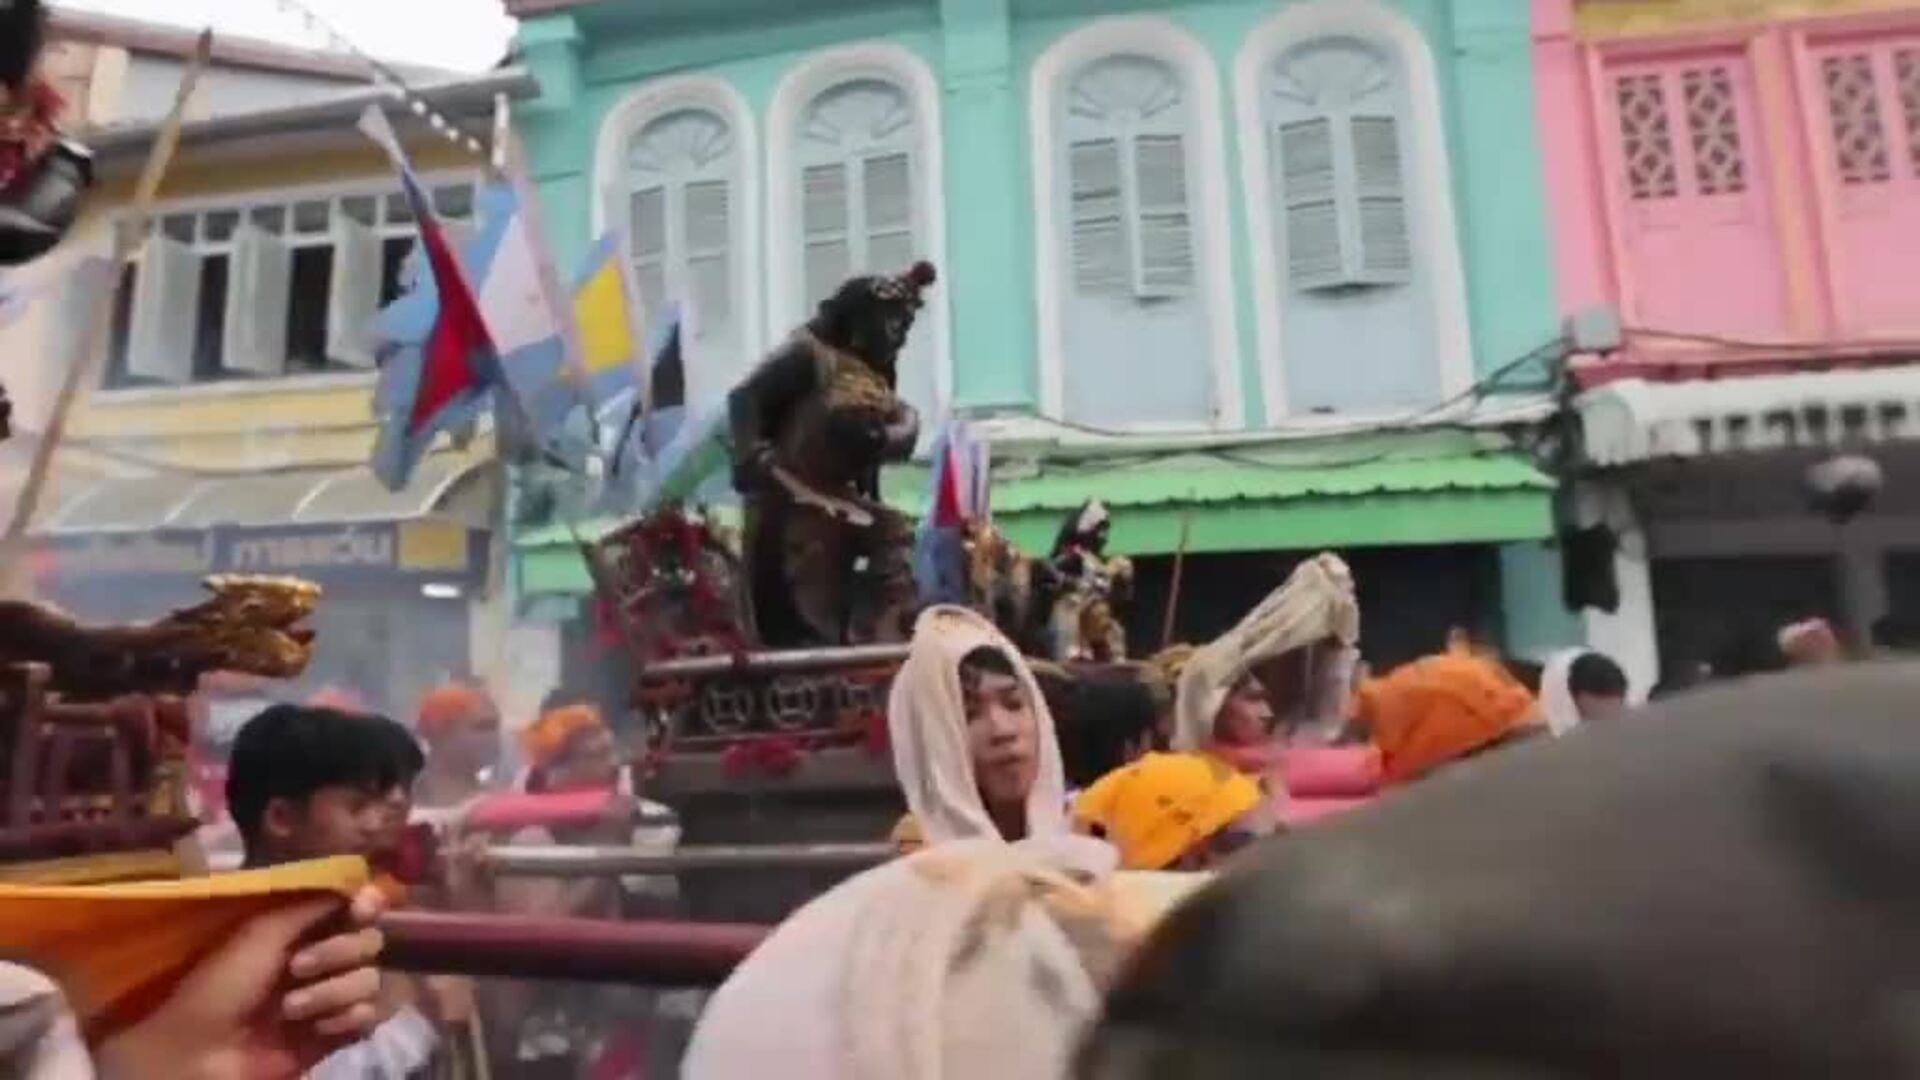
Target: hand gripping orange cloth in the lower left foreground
pixel 229 1021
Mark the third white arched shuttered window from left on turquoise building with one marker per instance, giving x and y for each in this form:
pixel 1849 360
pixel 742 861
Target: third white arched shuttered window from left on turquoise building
pixel 1136 308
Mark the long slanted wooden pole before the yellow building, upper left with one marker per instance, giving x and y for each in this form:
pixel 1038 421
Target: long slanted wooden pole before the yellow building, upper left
pixel 95 339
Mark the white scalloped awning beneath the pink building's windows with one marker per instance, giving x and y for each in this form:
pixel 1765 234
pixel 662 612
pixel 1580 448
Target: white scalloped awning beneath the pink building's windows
pixel 1633 420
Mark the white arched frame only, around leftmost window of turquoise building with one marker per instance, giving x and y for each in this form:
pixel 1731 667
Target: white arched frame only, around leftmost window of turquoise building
pixel 629 118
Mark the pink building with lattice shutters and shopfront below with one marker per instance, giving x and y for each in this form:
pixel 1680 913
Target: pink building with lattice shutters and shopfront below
pixel 1740 182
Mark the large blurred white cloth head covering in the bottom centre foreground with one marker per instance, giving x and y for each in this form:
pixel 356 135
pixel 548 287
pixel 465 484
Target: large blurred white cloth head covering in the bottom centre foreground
pixel 978 960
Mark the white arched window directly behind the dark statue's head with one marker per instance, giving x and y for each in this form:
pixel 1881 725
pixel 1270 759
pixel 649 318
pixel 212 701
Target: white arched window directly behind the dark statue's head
pixel 853 149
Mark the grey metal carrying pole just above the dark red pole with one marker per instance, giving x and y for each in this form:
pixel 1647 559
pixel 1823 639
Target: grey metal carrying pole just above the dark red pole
pixel 581 862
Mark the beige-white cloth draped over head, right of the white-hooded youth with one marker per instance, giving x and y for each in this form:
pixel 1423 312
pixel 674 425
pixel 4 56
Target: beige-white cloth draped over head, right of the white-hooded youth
pixel 1314 604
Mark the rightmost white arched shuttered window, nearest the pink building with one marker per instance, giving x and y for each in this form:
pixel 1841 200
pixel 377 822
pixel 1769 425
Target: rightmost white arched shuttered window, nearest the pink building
pixel 1360 293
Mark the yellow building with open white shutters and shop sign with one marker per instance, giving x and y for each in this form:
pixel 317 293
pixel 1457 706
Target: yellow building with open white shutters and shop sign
pixel 229 420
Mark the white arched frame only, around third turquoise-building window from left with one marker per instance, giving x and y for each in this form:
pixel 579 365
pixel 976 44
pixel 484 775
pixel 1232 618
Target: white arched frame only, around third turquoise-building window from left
pixel 1168 43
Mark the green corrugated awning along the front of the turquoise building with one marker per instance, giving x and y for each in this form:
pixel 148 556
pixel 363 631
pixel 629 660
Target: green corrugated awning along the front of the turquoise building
pixel 1353 493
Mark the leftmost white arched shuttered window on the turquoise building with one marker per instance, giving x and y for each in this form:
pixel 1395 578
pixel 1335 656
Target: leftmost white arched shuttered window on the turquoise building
pixel 677 166
